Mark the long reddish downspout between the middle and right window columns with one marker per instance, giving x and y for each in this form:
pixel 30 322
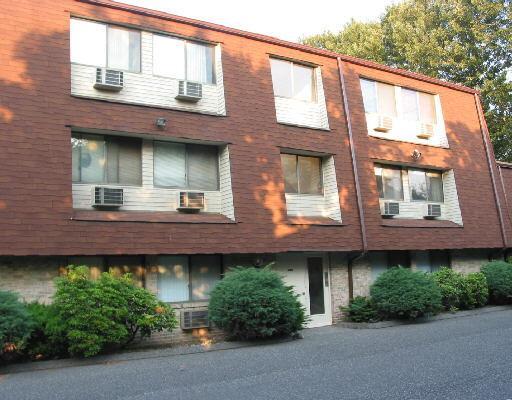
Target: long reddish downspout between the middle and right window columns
pixel 359 198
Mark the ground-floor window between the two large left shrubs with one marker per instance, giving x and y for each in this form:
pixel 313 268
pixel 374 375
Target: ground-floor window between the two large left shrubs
pixel 187 278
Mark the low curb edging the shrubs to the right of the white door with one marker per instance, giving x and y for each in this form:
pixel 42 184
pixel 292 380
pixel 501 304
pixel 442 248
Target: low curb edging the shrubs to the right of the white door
pixel 446 315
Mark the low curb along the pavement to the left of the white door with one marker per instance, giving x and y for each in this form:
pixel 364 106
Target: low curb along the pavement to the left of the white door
pixel 135 354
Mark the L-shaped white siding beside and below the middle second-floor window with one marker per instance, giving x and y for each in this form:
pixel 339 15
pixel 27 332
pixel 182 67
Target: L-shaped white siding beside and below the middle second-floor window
pixel 311 205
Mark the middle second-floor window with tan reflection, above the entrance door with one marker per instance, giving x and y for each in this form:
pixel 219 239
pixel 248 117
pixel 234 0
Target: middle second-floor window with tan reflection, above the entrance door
pixel 302 174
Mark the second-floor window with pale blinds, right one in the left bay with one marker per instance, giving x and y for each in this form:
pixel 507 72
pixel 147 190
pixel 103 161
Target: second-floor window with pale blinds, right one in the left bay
pixel 187 166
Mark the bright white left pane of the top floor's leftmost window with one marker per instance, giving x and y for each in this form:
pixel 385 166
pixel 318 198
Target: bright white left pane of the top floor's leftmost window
pixel 88 43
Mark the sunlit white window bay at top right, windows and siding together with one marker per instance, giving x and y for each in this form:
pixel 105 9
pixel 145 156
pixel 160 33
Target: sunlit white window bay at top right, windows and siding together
pixel 408 110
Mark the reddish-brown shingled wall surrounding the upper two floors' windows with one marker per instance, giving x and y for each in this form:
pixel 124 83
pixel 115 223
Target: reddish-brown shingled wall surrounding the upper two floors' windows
pixel 37 111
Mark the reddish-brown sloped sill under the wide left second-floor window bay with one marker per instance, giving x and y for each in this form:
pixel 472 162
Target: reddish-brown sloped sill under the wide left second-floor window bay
pixel 150 216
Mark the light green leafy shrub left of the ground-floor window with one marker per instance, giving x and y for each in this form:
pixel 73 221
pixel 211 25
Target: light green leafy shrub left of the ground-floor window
pixel 99 315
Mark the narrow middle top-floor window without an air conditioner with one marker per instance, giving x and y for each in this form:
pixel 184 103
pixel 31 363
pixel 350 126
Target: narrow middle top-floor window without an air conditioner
pixel 293 81
